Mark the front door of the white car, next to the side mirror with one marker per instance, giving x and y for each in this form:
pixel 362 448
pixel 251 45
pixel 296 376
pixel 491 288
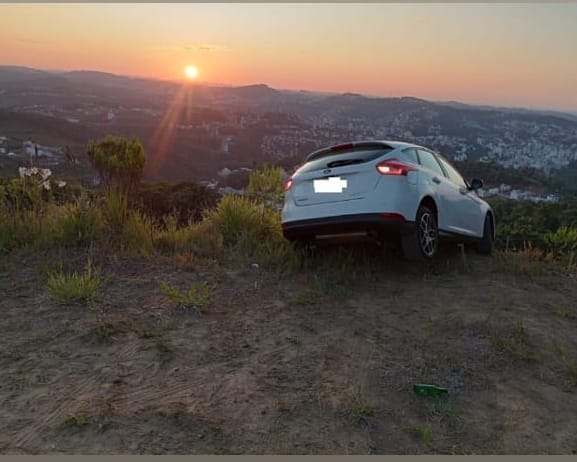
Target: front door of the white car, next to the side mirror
pixel 467 203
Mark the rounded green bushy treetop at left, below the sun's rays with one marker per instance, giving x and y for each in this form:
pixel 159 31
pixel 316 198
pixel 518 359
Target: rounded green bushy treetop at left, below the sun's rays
pixel 119 161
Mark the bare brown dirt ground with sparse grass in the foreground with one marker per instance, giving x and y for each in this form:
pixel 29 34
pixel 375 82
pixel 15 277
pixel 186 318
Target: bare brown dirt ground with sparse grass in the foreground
pixel 277 366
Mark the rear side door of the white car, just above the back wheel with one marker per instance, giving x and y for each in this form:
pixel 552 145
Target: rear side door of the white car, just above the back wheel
pixel 433 178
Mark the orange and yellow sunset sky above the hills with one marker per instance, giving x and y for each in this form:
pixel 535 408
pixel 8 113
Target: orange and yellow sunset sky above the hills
pixel 522 55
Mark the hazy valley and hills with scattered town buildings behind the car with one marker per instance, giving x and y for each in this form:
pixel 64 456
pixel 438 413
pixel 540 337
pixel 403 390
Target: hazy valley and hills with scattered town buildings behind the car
pixel 217 133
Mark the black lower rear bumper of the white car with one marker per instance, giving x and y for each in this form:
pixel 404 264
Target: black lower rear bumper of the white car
pixel 382 224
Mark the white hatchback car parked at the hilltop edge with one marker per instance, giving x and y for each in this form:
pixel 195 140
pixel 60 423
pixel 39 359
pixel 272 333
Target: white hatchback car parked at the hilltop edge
pixel 385 190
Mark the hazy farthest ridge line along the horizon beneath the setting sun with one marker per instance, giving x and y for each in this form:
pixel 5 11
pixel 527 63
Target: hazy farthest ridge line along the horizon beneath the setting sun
pixel 348 104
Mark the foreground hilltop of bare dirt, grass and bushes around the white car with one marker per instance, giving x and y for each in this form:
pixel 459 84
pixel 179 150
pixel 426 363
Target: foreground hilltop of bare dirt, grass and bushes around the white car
pixel 169 320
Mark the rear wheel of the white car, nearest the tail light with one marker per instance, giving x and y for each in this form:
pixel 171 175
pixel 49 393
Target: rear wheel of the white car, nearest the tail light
pixel 423 243
